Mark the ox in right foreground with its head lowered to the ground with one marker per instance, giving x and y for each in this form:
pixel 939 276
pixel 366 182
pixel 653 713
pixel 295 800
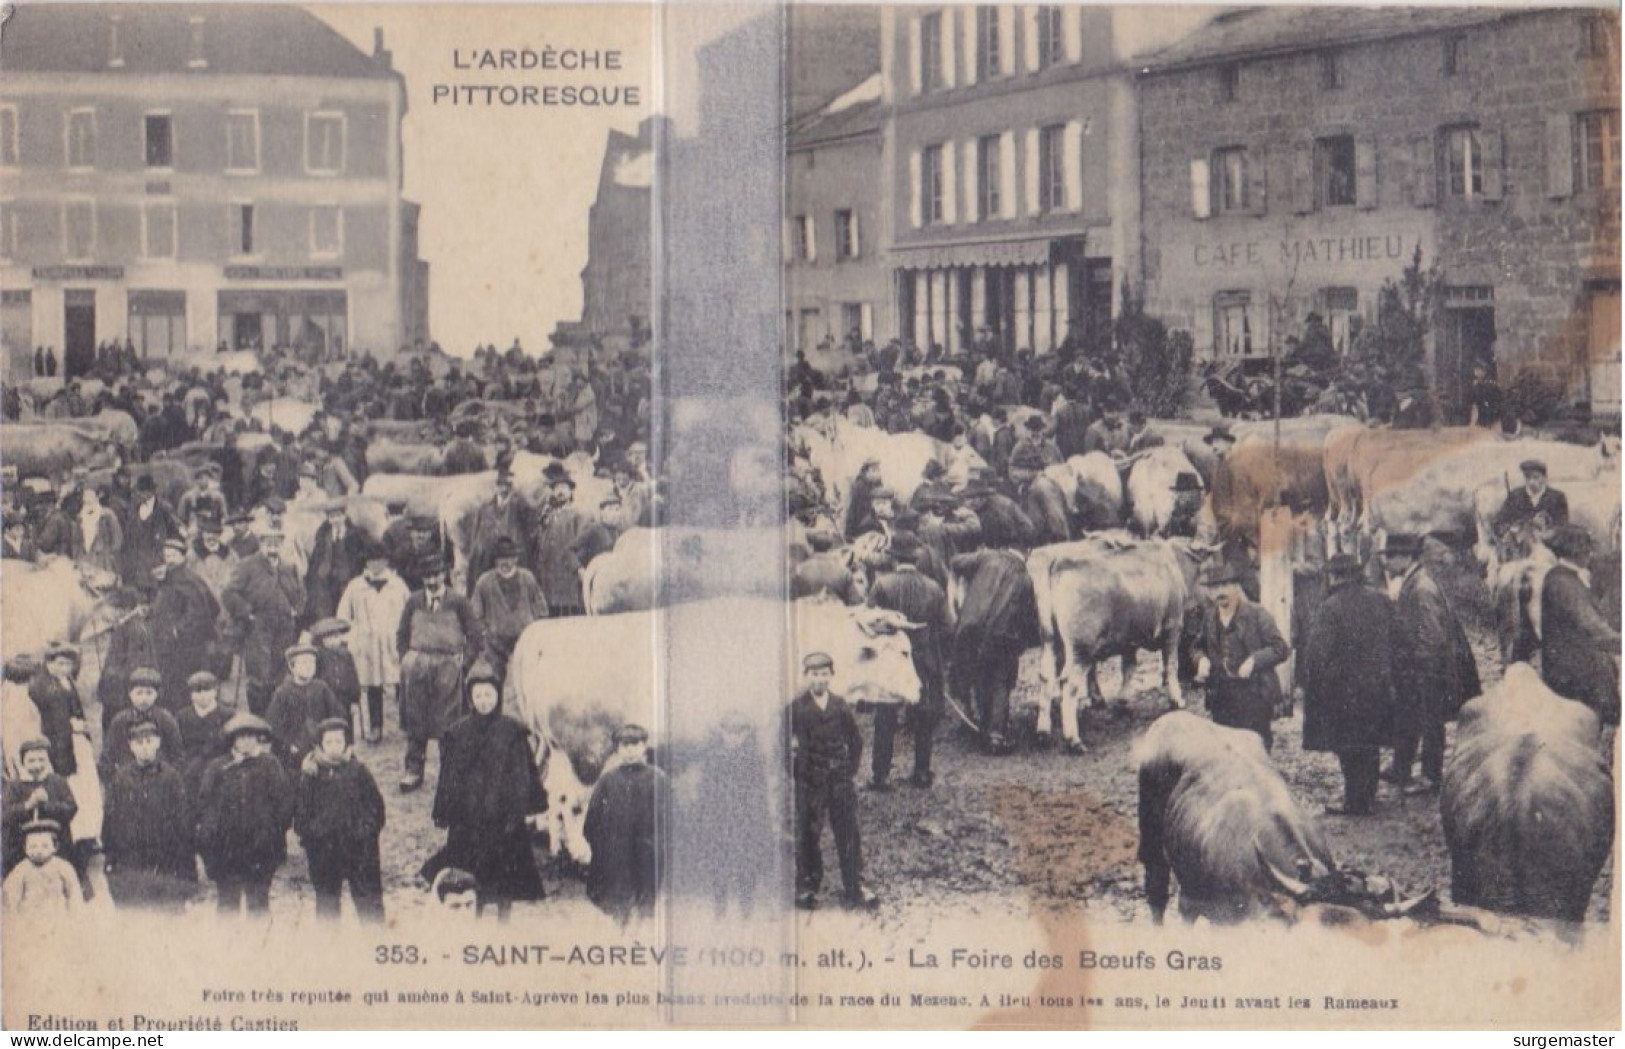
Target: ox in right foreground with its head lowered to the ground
pixel 1218 816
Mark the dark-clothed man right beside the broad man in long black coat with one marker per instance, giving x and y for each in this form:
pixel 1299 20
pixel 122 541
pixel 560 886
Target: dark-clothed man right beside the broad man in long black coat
pixel 1434 668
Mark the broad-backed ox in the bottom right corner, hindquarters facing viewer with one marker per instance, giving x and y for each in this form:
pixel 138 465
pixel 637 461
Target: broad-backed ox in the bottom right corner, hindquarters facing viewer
pixel 1528 801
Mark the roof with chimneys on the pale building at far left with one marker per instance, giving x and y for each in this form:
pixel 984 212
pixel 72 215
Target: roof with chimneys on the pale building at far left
pixel 240 40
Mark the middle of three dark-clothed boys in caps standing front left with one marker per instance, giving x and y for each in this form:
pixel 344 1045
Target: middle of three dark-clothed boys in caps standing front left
pixel 245 809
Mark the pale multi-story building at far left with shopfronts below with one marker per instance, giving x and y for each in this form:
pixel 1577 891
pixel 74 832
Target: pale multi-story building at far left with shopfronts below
pixel 186 176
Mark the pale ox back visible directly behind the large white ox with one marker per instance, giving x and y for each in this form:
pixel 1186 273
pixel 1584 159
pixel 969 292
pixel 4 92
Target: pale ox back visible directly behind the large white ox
pixel 691 564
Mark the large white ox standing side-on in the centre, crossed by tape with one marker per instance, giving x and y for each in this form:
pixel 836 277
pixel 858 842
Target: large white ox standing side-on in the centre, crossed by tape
pixel 576 681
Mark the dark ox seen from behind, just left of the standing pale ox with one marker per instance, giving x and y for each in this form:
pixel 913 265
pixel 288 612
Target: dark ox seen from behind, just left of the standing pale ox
pixel 999 621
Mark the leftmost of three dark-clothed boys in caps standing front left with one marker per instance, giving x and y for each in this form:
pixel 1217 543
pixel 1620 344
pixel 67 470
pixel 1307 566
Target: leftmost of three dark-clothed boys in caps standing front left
pixel 147 832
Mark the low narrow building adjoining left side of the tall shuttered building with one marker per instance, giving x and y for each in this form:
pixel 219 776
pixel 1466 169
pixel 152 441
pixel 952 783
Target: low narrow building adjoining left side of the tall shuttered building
pixel 834 274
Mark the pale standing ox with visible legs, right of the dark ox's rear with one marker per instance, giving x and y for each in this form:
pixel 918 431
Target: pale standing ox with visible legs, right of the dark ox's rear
pixel 1106 597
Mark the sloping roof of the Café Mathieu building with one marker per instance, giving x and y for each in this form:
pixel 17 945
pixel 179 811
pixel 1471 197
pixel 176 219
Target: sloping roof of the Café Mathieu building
pixel 1250 33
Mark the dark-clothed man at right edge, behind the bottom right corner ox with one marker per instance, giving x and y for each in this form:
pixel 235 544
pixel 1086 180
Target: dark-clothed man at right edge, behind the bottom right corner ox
pixel 1580 650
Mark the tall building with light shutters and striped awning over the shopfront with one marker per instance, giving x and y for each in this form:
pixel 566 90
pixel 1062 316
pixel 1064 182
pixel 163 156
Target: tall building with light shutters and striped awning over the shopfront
pixel 1012 153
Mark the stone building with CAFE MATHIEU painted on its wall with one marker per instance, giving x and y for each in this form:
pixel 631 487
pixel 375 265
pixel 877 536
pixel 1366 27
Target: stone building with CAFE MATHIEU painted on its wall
pixel 1298 158
